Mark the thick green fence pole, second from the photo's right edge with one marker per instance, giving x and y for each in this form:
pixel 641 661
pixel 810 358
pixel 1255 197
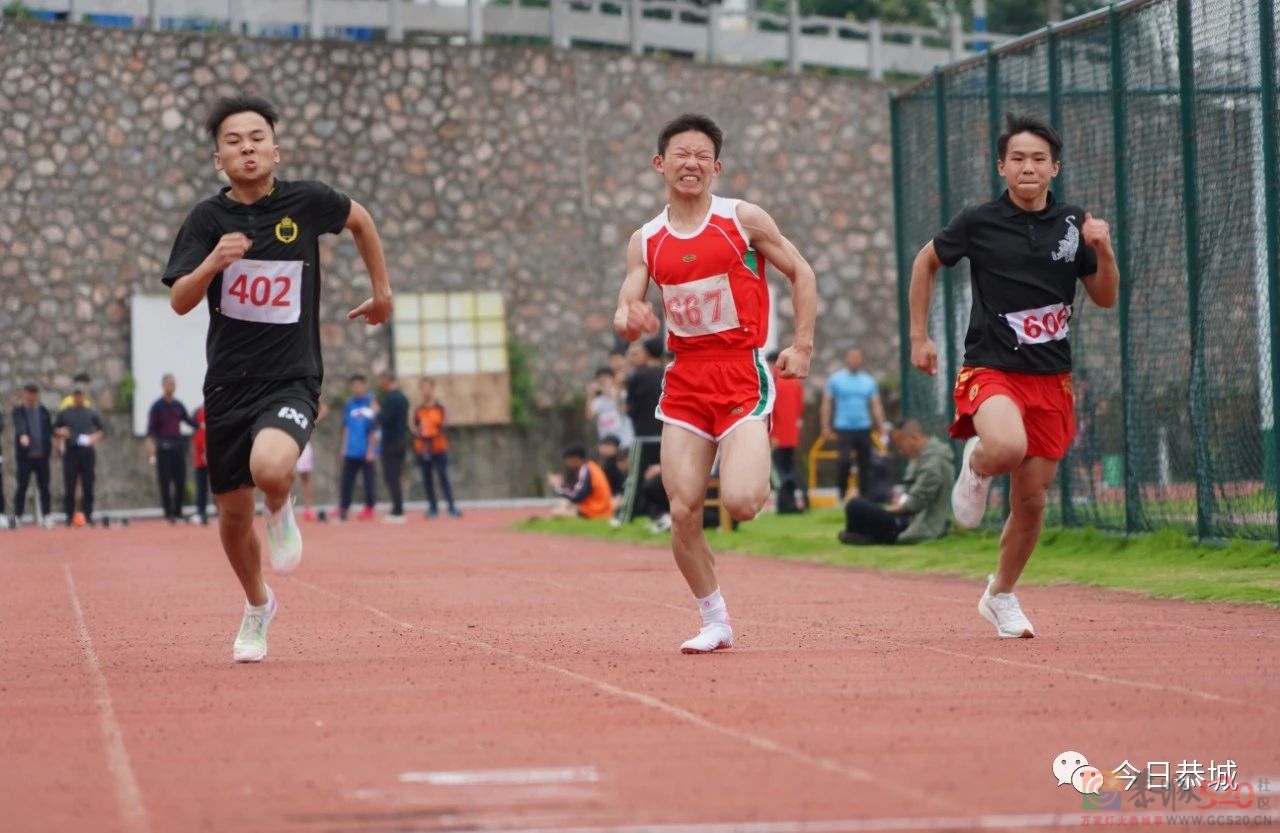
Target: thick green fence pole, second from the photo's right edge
pixel 1192 208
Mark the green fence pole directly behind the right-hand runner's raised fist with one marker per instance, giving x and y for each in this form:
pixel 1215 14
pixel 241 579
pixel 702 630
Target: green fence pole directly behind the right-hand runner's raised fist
pixel 1121 225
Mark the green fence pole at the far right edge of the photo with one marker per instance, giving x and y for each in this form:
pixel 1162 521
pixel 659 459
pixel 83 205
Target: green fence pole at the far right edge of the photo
pixel 1272 171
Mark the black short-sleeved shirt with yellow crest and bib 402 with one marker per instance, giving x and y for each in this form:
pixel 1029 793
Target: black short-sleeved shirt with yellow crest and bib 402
pixel 264 312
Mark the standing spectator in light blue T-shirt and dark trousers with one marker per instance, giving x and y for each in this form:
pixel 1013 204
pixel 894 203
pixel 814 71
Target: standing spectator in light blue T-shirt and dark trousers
pixel 851 410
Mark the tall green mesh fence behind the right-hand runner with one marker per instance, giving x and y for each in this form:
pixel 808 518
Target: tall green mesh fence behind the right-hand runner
pixel 1168 112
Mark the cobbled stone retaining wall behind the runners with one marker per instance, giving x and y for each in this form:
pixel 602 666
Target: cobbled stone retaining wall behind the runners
pixel 516 170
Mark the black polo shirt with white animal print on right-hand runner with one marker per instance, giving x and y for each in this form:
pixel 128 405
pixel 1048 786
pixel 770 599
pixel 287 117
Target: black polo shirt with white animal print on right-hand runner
pixel 1023 268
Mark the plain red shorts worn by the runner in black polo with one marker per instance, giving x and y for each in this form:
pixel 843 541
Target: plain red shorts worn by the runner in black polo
pixel 1048 405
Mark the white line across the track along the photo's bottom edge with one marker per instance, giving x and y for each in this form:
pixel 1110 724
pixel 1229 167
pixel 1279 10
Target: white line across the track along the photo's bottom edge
pixel 843 826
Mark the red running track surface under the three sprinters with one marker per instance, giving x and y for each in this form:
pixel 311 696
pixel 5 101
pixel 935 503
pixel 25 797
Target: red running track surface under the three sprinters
pixel 464 647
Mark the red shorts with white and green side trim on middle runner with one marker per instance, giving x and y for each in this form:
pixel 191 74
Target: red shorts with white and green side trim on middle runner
pixel 714 392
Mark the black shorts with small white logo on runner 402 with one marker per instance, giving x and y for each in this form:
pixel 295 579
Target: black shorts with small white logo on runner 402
pixel 235 413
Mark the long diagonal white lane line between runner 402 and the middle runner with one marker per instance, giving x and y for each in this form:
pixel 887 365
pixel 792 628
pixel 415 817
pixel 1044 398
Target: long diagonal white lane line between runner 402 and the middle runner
pixel 765 744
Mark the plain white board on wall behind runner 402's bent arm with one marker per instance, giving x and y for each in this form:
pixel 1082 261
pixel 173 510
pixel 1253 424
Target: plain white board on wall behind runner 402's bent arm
pixel 164 342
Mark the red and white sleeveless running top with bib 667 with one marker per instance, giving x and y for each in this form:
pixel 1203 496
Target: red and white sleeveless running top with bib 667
pixel 714 290
